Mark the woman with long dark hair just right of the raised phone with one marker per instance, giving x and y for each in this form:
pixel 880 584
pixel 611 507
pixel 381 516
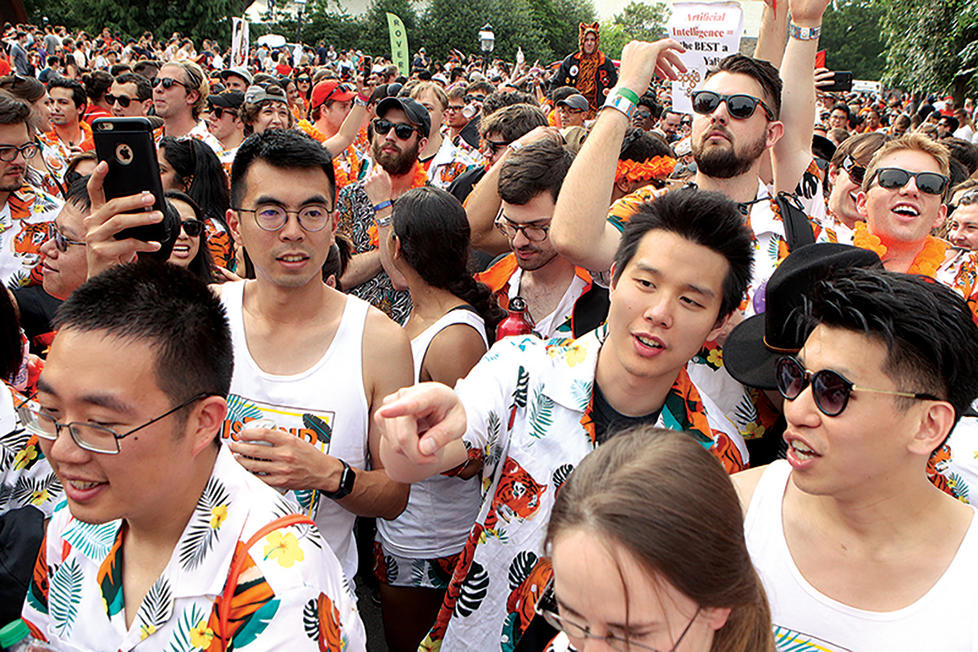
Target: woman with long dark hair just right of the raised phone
pixel 190 166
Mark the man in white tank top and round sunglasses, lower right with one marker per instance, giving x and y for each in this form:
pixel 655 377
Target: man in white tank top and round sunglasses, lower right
pixel 856 548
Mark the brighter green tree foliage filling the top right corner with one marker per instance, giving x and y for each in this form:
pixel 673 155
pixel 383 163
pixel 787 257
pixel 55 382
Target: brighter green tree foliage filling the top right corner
pixel 931 46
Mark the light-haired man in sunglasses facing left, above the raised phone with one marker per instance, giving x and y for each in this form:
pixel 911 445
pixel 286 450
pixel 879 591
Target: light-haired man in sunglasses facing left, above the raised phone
pixel 180 93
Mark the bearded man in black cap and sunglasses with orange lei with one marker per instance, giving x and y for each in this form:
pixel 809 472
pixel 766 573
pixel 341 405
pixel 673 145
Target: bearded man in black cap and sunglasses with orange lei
pixel 400 132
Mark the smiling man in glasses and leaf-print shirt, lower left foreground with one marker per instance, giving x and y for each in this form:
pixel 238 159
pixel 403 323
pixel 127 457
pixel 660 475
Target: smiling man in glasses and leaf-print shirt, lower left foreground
pixel 165 540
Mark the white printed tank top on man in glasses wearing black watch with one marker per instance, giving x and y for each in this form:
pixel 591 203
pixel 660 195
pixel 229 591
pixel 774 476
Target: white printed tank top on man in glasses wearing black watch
pixel 326 405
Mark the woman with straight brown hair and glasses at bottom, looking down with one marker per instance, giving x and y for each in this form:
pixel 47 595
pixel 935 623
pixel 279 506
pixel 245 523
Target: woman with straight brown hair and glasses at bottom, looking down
pixel 648 551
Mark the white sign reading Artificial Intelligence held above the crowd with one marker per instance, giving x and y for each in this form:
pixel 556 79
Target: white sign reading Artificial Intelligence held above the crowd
pixel 709 31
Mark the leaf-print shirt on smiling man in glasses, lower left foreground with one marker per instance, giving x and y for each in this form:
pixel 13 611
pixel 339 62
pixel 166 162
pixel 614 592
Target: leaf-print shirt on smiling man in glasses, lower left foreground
pixel 291 594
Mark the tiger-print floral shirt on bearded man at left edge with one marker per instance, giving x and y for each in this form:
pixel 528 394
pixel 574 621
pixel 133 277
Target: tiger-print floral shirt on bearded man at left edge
pixel 25 224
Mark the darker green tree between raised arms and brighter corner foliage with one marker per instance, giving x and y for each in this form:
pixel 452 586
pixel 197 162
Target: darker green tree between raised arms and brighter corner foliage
pixel 852 40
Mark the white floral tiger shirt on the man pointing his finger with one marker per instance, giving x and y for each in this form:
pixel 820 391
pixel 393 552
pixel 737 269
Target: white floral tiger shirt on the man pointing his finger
pixel 528 404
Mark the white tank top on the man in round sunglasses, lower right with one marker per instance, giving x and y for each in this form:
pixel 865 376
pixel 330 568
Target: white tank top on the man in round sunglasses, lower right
pixel 945 618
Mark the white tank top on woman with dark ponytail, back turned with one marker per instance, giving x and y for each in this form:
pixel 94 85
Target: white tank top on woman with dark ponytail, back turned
pixel 441 509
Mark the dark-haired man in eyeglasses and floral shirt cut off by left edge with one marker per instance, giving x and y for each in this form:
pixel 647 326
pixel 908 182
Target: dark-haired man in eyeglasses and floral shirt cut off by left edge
pixel 25 211
